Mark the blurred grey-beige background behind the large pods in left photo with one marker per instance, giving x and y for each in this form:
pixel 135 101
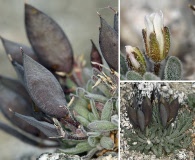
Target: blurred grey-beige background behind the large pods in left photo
pixel 80 22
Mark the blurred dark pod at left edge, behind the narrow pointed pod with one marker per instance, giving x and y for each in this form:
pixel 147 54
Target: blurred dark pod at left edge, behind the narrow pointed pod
pixel 13 97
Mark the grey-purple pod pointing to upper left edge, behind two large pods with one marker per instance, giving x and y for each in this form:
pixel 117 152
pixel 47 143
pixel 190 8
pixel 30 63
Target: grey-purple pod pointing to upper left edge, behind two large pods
pixel 13 49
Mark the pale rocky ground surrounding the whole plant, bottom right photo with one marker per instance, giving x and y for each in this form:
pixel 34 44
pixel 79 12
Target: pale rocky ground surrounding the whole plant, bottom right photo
pixel 177 90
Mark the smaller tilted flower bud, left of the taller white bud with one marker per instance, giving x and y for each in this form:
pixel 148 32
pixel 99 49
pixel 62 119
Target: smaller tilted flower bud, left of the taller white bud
pixel 135 59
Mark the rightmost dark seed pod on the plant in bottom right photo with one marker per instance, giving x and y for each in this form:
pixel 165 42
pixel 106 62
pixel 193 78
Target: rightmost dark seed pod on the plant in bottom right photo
pixel 173 108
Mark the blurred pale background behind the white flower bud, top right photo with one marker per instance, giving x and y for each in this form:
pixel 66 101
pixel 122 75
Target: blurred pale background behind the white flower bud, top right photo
pixel 177 16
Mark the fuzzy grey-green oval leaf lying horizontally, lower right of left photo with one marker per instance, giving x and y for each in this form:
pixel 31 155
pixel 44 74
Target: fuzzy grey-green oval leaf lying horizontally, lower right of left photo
pixel 102 126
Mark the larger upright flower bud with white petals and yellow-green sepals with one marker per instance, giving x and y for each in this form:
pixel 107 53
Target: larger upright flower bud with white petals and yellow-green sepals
pixel 156 37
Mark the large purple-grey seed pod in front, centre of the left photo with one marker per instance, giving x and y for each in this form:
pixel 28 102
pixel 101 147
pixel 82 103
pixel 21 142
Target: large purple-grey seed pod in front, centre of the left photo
pixel 44 88
